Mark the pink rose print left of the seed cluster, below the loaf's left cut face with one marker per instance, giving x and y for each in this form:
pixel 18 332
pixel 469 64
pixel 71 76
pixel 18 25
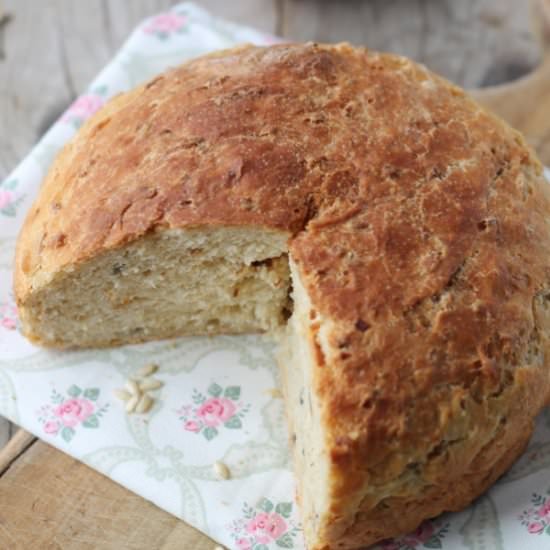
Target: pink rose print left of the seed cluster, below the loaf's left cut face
pixel 65 414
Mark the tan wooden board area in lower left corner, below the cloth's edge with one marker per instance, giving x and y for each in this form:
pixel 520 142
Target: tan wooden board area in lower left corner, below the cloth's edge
pixel 49 500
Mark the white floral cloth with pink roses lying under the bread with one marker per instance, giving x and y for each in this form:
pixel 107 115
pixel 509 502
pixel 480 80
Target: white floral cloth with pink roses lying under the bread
pixel 218 402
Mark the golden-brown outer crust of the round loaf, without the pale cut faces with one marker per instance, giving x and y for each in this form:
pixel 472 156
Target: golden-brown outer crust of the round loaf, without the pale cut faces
pixel 421 233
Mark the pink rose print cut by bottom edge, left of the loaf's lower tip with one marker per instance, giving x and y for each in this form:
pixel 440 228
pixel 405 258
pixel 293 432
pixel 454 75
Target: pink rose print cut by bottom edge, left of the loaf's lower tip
pixel 265 526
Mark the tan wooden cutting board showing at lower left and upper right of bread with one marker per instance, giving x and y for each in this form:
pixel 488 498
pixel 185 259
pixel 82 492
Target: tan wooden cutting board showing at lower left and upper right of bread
pixel 50 501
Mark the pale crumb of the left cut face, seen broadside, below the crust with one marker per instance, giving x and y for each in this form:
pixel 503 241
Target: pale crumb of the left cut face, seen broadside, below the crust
pixel 170 283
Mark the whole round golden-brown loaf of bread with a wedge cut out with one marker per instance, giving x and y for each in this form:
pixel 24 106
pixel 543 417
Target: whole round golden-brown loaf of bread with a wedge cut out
pixel 412 226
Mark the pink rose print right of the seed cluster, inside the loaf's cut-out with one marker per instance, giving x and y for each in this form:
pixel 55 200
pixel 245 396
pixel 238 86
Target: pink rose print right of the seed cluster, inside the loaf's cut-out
pixel 210 413
